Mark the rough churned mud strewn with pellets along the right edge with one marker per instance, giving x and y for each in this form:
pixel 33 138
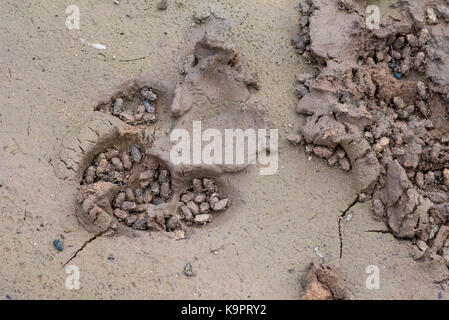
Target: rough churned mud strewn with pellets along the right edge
pixel 379 97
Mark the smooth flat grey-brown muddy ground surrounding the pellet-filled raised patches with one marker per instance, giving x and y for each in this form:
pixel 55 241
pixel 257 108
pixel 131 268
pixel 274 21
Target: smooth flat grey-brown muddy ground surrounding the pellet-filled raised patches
pixel 259 248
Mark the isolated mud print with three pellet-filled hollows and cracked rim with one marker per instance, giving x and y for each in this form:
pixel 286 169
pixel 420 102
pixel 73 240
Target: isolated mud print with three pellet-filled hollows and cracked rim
pixel 121 157
